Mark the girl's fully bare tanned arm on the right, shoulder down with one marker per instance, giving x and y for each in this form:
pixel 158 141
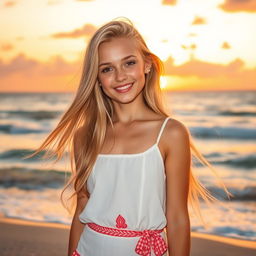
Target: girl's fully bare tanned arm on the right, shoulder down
pixel 177 164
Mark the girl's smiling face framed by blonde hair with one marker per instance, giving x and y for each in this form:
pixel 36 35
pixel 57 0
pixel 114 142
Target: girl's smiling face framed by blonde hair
pixel 121 69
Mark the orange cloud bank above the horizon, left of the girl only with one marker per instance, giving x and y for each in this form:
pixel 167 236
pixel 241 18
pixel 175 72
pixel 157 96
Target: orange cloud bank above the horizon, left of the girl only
pixel 23 74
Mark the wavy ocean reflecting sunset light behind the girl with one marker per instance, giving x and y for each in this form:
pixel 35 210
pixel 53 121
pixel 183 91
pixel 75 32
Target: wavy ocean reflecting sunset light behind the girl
pixel 223 127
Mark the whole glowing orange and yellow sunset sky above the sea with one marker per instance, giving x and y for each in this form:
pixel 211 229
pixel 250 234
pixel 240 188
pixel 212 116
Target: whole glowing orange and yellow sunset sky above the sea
pixel 205 44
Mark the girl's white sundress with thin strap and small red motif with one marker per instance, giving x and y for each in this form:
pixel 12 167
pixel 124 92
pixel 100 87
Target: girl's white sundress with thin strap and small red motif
pixel 127 192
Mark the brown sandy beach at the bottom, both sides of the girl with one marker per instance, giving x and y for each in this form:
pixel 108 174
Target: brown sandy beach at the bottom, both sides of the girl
pixel 27 238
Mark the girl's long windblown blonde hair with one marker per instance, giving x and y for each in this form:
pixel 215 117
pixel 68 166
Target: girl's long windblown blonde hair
pixel 91 112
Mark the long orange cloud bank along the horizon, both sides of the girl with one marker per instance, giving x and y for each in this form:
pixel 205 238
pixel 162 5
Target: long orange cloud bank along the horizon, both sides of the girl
pixel 27 74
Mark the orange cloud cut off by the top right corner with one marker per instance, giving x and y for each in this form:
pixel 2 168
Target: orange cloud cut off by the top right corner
pixel 239 6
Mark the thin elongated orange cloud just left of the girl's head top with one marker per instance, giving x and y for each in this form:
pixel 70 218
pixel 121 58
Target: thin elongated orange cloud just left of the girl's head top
pixel 86 30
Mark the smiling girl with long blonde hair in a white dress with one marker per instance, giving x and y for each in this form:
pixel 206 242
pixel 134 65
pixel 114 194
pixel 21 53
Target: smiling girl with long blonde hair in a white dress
pixel 131 161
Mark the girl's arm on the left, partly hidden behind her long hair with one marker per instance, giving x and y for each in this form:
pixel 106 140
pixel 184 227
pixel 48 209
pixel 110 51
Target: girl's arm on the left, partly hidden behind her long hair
pixel 82 199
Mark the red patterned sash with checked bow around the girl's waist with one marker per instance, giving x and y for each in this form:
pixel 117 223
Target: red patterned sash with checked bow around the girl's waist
pixel 149 239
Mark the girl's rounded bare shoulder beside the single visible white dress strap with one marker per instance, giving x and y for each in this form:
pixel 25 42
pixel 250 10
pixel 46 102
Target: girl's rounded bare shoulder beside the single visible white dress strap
pixel 175 136
